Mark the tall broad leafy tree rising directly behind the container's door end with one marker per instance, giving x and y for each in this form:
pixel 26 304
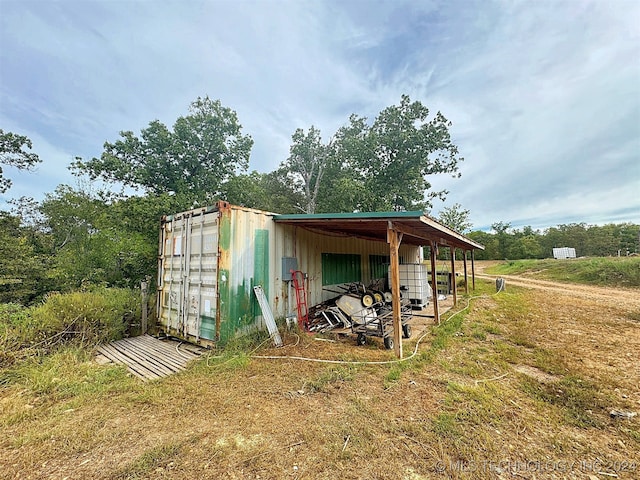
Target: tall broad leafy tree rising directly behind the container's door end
pixel 204 150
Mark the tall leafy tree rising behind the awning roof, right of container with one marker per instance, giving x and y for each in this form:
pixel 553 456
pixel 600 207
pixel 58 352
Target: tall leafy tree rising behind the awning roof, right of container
pixel 388 162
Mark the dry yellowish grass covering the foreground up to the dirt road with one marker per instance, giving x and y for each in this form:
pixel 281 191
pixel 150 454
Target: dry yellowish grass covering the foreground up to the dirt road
pixel 524 381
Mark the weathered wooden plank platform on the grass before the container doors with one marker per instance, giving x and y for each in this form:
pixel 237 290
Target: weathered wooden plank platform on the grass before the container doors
pixel 147 357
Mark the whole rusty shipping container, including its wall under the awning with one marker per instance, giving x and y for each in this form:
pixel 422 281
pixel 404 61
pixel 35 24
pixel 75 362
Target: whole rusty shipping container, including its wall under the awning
pixel 211 258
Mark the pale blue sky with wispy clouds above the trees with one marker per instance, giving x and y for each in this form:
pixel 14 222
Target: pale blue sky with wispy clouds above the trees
pixel 544 96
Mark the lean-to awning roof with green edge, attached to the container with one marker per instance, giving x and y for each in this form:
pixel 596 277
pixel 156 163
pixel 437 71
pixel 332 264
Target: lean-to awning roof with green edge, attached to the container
pixel 416 227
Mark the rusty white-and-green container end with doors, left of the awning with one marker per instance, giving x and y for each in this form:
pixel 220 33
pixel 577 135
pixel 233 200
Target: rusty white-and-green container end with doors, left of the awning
pixel 210 260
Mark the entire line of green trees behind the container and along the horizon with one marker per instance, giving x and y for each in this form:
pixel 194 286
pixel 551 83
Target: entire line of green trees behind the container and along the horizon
pixel 80 236
